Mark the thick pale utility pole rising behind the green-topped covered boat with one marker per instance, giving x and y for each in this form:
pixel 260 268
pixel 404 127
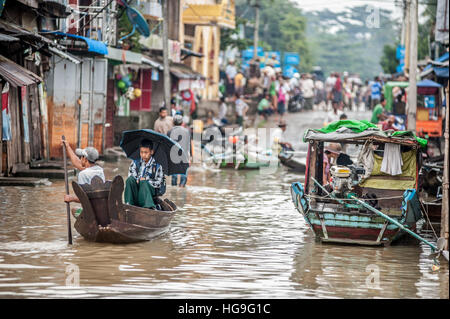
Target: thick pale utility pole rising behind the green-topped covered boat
pixel 412 89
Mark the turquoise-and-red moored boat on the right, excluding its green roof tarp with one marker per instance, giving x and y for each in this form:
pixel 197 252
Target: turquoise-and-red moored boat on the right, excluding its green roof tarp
pixel 337 217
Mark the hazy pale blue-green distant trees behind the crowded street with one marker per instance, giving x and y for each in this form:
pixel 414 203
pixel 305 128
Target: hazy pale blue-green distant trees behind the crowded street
pixel 346 41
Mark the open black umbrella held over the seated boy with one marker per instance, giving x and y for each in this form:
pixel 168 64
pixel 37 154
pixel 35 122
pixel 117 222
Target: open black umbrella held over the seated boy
pixel 168 153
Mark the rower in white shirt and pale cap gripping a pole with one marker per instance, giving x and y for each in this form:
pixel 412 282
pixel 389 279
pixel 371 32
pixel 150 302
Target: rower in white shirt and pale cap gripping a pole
pixel 83 160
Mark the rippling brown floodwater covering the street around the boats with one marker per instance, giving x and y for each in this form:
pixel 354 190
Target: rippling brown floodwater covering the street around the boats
pixel 236 235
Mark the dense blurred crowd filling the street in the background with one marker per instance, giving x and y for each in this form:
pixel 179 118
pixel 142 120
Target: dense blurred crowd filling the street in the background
pixel 275 94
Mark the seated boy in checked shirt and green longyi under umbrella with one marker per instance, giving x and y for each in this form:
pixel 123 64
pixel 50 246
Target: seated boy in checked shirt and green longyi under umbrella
pixel 145 178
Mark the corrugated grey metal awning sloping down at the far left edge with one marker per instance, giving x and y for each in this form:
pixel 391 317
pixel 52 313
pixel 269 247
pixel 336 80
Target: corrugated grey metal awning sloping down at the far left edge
pixel 15 74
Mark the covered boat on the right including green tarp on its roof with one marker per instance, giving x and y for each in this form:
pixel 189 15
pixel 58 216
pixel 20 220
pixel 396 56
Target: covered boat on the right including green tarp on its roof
pixel 355 207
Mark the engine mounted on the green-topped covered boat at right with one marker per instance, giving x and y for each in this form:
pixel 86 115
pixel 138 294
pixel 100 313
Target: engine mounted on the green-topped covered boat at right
pixel 344 179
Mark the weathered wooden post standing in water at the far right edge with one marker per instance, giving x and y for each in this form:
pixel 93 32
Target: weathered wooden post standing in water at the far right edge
pixel 445 186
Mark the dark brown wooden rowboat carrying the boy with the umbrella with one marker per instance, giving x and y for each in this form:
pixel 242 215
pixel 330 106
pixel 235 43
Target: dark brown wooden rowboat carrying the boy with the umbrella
pixel 105 218
